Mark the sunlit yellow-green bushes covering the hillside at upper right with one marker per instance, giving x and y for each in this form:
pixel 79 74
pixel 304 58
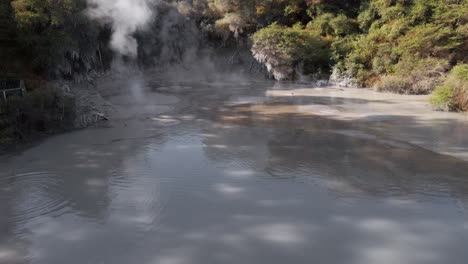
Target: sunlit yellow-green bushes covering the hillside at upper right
pixel 404 46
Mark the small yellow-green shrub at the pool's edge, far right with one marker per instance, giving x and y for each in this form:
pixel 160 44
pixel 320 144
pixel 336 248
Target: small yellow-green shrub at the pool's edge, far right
pixel 452 95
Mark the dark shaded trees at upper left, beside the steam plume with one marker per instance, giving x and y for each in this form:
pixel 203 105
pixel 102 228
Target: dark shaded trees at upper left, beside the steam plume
pixel 55 34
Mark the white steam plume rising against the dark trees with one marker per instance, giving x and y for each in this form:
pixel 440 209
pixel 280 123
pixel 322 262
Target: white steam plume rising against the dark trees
pixel 126 17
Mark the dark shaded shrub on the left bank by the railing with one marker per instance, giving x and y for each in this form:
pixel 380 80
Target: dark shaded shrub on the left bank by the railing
pixel 39 111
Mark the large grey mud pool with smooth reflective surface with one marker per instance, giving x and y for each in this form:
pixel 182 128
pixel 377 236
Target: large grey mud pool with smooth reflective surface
pixel 231 174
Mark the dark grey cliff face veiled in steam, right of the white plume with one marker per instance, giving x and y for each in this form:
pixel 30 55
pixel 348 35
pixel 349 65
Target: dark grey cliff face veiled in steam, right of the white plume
pixel 175 39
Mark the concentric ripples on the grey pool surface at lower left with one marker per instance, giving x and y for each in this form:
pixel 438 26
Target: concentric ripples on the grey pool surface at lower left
pixel 36 194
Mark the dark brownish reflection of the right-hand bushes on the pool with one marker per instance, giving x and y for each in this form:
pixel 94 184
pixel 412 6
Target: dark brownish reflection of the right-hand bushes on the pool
pixel 336 152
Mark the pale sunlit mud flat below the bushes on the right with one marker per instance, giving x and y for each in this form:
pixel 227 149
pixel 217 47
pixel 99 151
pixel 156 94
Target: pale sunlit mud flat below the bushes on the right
pixel 405 118
